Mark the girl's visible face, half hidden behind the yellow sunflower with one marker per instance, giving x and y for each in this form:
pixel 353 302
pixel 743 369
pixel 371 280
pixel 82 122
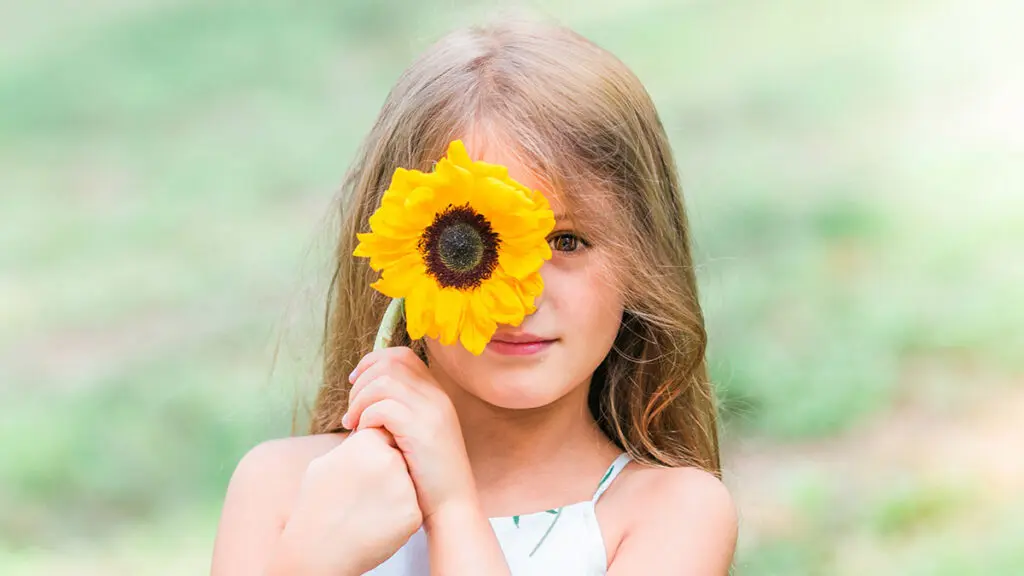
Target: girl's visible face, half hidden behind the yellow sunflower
pixel 578 317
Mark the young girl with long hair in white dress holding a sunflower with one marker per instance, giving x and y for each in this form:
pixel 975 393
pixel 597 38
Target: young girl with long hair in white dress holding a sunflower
pixel 581 441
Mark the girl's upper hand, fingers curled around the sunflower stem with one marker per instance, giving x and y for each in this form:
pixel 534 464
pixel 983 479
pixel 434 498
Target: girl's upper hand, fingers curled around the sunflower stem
pixel 393 389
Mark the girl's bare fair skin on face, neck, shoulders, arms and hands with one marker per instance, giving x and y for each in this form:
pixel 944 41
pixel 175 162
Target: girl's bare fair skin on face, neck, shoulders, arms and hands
pixel 450 445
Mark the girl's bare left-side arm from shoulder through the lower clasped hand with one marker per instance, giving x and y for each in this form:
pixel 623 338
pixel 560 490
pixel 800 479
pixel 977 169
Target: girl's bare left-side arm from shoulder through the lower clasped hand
pixel 325 505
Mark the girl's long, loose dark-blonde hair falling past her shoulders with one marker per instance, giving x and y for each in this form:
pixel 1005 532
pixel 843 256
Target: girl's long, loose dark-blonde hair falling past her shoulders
pixel 581 119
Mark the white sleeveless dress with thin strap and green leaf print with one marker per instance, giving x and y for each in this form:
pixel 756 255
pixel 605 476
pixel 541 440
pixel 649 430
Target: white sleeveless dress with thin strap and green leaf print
pixel 564 542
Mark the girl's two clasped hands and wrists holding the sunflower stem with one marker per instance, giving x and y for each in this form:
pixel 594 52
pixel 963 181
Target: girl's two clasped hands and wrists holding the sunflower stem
pixel 404 467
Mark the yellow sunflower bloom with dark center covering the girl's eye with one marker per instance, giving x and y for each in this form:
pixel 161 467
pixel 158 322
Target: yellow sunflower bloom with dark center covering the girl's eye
pixel 460 248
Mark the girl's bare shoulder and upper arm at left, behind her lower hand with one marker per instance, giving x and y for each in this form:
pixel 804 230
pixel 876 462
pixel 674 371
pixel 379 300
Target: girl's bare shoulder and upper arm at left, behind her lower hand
pixel 260 500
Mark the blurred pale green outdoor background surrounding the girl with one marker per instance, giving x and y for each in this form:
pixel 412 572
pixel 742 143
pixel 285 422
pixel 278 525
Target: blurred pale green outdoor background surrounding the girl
pixel 855 173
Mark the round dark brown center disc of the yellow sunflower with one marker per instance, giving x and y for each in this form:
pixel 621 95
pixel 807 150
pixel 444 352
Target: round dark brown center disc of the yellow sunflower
pixel 460 249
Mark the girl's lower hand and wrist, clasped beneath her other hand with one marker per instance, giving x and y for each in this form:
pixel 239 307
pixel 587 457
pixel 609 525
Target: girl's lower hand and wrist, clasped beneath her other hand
pixel 356 508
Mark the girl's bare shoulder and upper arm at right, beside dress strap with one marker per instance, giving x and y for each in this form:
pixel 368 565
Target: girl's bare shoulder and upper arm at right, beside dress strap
pixel 685 523
